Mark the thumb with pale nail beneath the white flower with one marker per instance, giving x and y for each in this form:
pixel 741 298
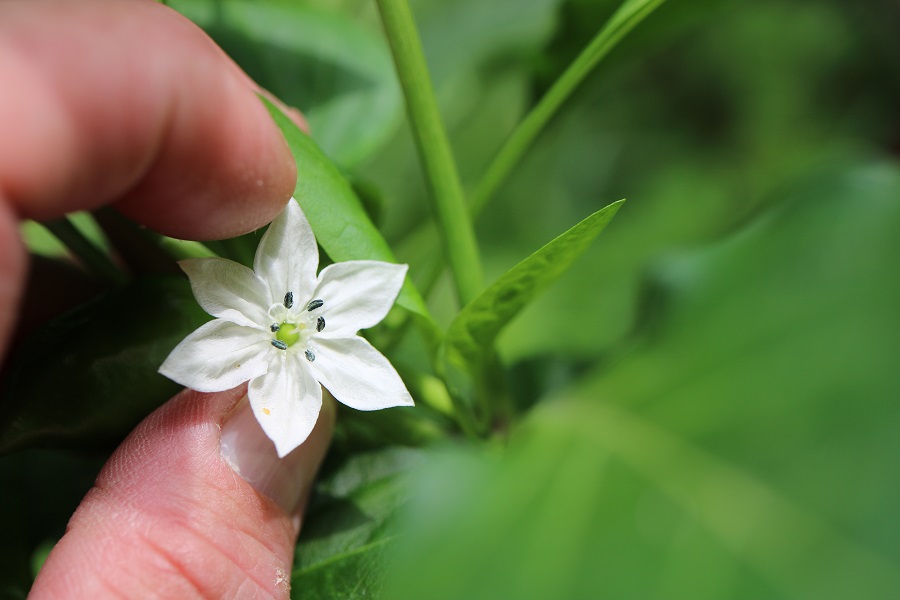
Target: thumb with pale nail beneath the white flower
pixel 194 503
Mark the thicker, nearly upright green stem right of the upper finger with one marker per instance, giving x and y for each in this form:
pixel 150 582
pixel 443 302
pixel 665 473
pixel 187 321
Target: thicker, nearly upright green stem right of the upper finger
pixel 450 207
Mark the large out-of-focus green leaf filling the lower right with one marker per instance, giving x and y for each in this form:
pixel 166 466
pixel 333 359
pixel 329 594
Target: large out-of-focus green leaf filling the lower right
pixel 745 448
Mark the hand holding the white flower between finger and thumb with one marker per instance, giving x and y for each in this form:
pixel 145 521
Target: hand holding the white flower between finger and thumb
pixel 127 104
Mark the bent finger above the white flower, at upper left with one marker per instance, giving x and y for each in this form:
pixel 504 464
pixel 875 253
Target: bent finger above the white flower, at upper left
pixel 128 102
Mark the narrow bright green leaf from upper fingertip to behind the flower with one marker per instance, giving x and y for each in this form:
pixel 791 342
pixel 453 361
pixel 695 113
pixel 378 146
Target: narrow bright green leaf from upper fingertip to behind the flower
pixel 337 216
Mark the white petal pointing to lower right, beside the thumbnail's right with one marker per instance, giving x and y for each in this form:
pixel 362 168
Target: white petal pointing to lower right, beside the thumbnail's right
pixel 358 375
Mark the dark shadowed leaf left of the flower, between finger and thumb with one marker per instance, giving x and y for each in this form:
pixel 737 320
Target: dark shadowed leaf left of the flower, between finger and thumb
pixel 88 377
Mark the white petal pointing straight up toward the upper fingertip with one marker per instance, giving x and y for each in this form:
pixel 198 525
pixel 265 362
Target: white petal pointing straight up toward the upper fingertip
pixel 287 256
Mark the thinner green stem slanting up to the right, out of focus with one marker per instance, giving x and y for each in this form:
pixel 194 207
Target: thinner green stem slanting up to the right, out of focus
pixel 630 13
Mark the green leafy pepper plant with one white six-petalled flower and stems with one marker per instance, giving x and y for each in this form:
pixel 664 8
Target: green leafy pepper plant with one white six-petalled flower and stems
pixel 702 404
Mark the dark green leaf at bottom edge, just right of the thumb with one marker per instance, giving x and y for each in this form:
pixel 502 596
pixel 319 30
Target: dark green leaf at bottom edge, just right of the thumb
pixel 348 529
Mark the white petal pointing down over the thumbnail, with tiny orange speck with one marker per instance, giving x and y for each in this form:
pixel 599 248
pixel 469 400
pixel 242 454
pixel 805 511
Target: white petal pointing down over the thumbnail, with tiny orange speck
pixel 286 402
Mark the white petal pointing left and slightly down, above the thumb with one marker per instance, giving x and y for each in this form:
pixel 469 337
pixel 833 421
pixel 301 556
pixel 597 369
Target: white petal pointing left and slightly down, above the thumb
pixel 218 356
